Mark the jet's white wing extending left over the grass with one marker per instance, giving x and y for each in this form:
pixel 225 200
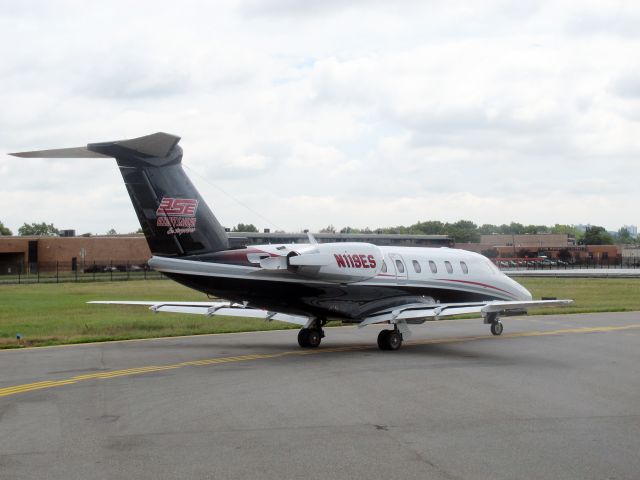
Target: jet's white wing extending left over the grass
pixel 210 309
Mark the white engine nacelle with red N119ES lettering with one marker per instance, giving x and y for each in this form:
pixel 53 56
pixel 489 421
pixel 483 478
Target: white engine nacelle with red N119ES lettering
pixel 337 262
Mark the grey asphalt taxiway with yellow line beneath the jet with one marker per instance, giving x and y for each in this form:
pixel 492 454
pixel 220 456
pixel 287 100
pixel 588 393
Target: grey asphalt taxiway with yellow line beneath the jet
pixel 553 397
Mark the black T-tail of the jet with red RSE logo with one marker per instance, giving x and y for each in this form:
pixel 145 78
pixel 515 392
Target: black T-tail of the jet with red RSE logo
pixel 174 218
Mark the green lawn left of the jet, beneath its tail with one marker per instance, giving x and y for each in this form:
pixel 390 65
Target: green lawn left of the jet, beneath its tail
pixel 49 314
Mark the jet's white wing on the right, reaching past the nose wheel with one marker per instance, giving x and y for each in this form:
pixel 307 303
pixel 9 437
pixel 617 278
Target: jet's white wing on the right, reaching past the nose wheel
pixel 419 313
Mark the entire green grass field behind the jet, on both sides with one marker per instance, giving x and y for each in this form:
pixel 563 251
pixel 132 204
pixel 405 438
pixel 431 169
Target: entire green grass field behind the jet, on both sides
pixel 49 314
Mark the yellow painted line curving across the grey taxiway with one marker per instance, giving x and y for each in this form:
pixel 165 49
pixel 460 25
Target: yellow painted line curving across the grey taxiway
pixel 30 387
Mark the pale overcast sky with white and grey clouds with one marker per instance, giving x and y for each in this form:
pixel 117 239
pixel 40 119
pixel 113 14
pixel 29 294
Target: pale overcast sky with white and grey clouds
pixel 360 113
